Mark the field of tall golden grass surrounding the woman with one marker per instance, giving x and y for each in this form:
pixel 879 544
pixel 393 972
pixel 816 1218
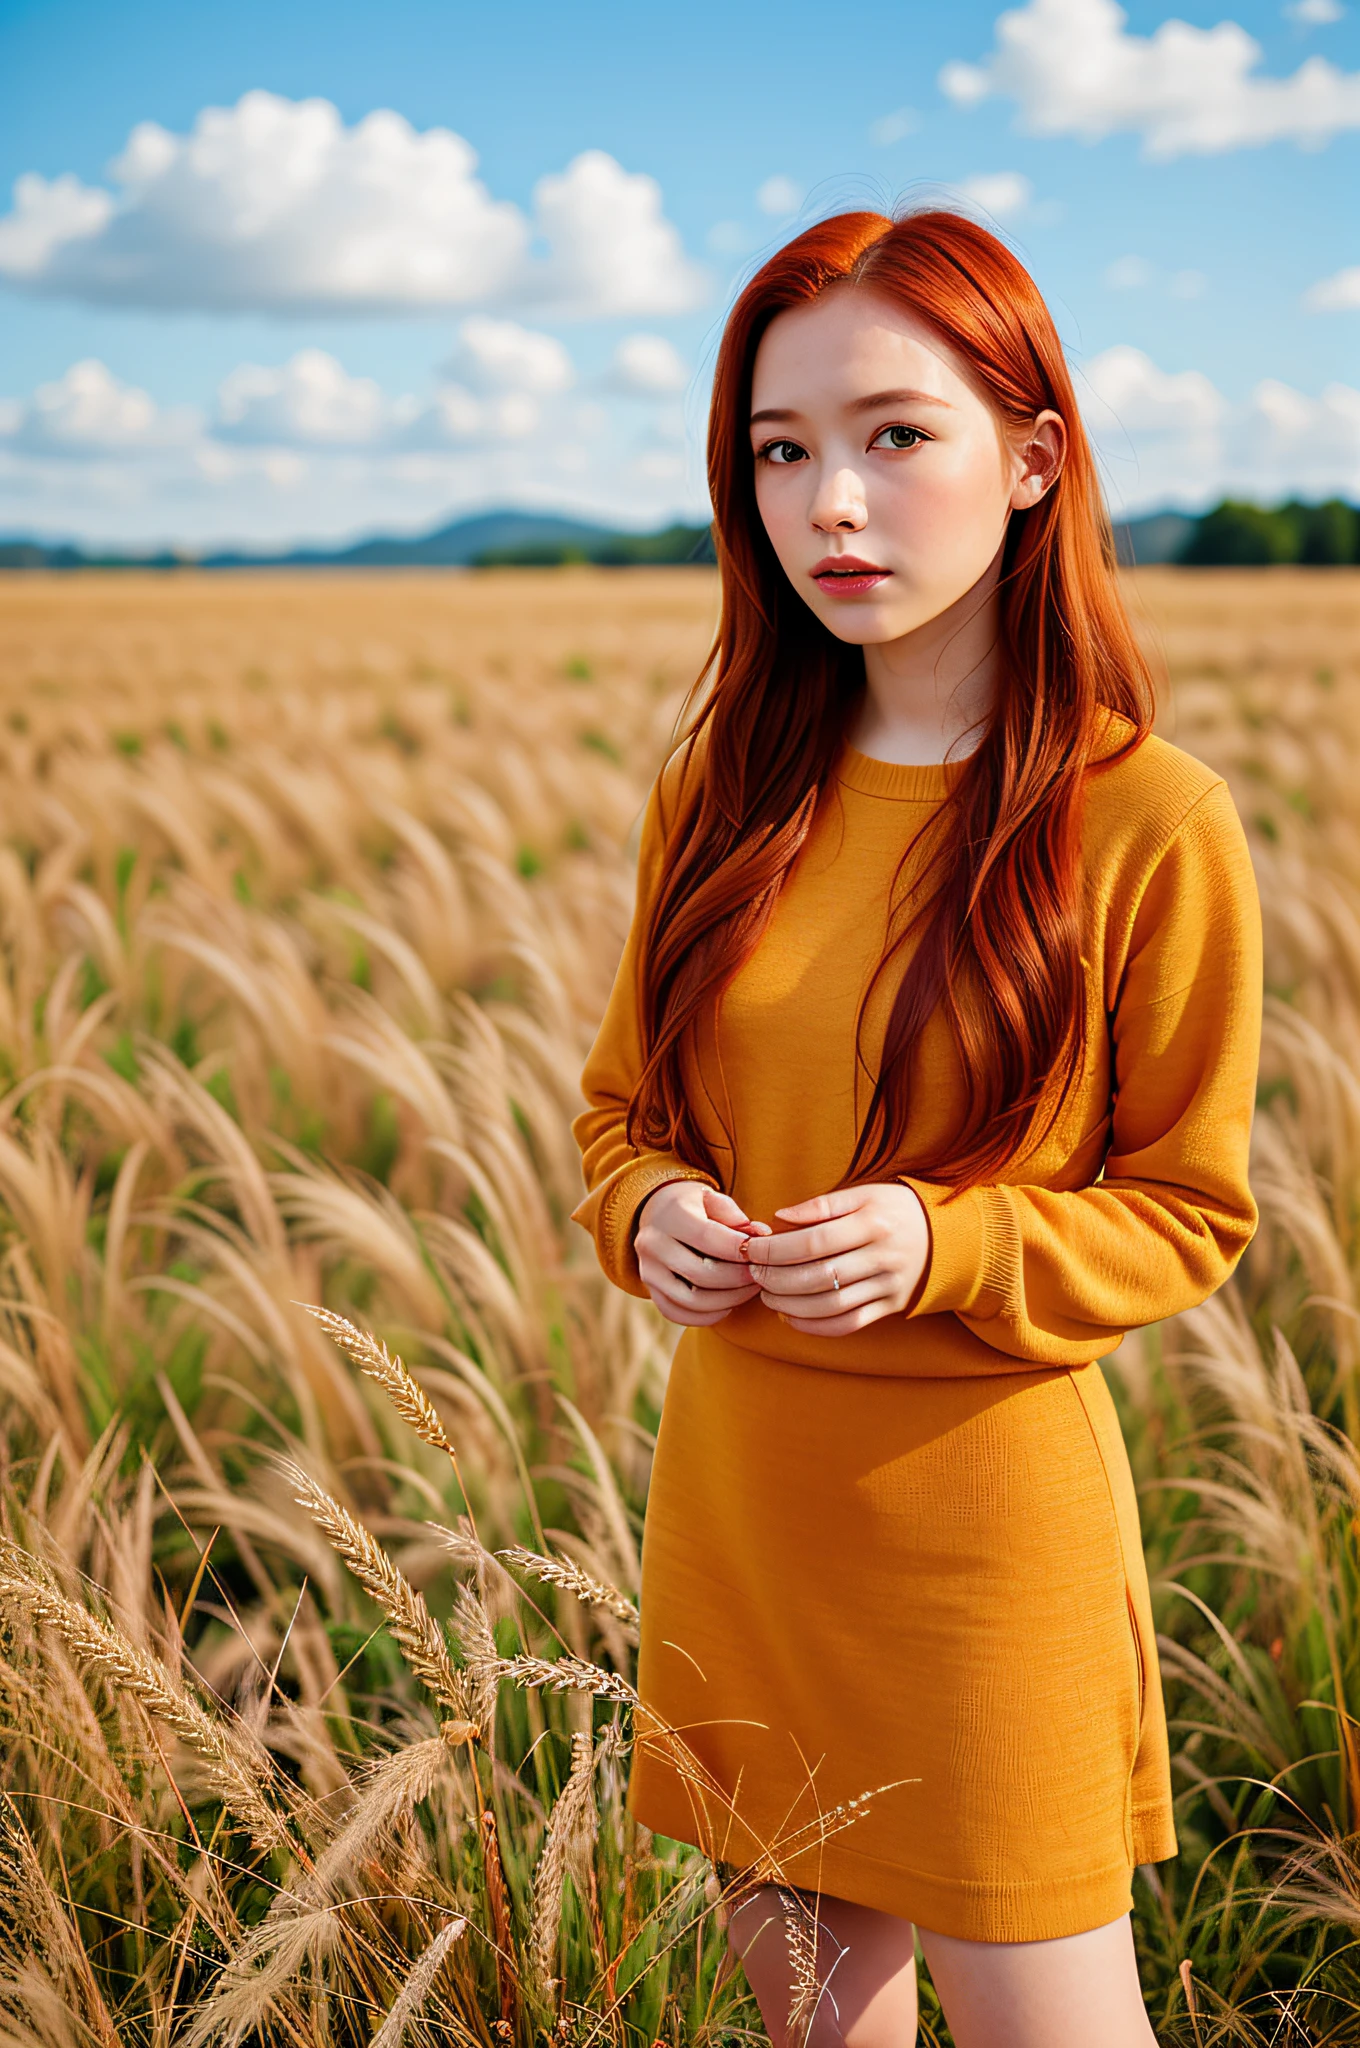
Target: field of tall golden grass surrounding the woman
pixel 316 1635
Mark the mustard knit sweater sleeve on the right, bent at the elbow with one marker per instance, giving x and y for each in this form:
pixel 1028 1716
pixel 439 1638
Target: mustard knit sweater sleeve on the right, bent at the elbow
pixel 1056 1277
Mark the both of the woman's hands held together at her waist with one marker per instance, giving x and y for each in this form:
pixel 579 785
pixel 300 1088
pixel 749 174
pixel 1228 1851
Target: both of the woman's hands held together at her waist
pixel 702 1256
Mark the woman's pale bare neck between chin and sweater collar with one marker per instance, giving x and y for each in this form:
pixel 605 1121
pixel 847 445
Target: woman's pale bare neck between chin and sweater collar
pixel 935 689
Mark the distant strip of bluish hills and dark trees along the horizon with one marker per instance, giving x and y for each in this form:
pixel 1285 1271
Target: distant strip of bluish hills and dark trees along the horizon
pixel 1232 534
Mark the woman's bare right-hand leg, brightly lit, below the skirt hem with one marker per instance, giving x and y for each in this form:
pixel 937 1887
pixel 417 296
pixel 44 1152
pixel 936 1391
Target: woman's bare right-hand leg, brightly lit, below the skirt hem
pixel 1066 1994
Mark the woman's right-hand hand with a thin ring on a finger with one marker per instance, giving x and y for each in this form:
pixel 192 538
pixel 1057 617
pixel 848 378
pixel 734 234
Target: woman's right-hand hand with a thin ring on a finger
pixel 874 1240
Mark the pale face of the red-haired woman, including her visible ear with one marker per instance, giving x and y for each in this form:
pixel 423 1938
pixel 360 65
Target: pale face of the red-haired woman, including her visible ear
pixel 882 476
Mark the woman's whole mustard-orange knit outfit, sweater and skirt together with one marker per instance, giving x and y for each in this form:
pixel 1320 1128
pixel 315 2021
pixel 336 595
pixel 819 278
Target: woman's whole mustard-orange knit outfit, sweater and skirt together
pixel 958 1469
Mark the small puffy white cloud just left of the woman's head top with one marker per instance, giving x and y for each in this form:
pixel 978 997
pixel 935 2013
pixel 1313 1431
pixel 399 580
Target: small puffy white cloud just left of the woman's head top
pixel 611 247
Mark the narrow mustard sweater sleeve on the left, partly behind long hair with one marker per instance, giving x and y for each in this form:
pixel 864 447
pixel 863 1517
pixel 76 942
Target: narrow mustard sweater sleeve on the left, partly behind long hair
pixel 622 1177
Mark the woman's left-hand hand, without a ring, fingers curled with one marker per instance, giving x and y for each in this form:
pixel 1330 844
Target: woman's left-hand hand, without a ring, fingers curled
pixel 689 1252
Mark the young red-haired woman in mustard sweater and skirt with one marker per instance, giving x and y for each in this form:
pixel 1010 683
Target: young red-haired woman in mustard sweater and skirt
pixel 929 1074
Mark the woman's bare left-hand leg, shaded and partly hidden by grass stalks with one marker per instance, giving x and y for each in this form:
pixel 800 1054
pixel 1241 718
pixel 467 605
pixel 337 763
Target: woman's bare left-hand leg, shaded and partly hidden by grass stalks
pixel 865 1961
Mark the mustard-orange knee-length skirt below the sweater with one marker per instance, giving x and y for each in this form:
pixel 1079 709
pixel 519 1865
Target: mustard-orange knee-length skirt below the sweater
pixel 923 1590
